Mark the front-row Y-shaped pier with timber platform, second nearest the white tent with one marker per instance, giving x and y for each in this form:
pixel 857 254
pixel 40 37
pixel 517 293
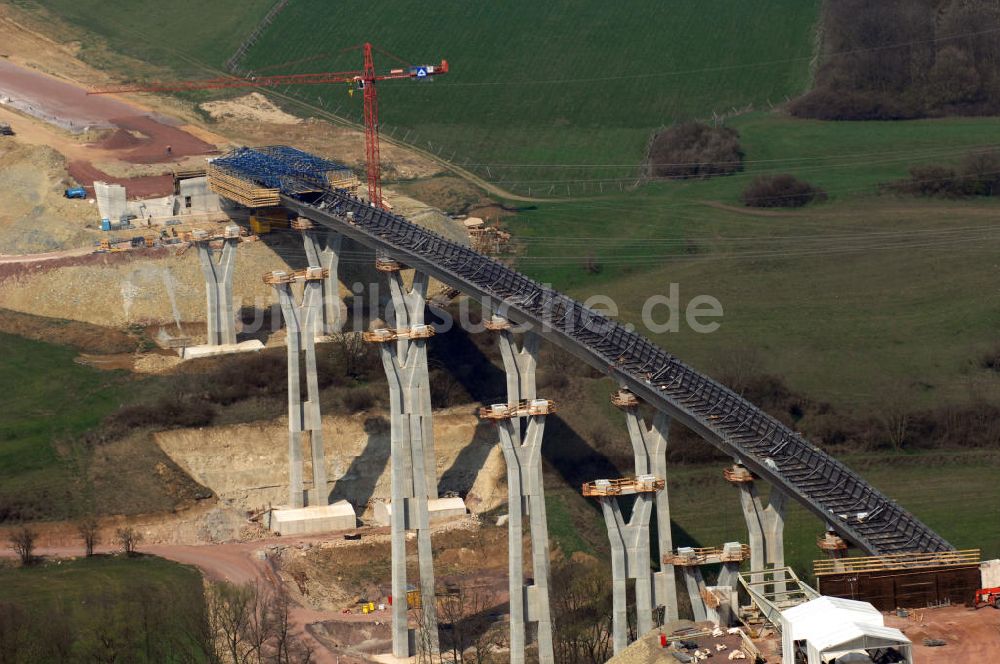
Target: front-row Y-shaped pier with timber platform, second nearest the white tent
pixel 629 559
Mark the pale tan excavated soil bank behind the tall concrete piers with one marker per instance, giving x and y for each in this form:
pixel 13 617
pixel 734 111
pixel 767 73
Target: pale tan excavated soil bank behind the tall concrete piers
pixel 246 465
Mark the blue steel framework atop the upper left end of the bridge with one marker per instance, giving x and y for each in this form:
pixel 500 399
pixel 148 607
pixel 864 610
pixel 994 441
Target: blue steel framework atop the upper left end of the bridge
pixel 279 167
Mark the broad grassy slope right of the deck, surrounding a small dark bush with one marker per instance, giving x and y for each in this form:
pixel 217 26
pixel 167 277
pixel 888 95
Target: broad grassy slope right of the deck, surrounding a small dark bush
pixel 857 301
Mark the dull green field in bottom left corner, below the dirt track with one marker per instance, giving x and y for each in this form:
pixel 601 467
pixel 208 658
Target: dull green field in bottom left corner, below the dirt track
pixel 102 609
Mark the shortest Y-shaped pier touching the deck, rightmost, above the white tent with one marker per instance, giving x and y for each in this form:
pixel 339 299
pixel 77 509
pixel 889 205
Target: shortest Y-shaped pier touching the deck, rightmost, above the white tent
pixel 765 526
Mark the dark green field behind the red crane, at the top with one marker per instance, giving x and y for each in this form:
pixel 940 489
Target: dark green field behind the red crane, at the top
pixel 563 82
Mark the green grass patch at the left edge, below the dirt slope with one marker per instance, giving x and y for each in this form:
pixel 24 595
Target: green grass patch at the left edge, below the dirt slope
pixel 49 400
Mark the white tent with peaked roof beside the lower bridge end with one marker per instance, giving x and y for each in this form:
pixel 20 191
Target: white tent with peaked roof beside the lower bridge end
pixel 832 629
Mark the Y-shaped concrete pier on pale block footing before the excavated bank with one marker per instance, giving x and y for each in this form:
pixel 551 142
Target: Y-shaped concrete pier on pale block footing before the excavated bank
pixel 304 423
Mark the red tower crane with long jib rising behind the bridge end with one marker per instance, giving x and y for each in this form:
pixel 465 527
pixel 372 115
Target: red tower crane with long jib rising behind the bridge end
pixel 364 80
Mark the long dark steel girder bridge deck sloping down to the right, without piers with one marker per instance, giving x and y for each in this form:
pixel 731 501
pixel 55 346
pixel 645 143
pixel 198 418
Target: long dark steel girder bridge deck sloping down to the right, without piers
pixel 839 497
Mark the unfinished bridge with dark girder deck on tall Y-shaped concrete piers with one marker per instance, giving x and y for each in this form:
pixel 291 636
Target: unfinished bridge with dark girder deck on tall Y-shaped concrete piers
pixel 762 447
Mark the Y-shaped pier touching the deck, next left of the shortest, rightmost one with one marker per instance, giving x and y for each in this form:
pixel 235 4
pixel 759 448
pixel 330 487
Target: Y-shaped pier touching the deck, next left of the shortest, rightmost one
pixel 649 445
